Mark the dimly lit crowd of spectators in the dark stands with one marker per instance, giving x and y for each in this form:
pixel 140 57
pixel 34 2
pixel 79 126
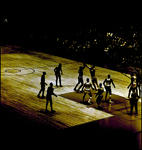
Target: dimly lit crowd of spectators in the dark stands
pixel 119 46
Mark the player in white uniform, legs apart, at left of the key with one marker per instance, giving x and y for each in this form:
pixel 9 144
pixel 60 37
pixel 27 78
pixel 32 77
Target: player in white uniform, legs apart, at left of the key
pixel 88 86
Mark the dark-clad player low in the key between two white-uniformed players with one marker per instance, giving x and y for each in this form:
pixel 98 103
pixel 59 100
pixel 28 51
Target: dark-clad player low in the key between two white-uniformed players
pixel 99 95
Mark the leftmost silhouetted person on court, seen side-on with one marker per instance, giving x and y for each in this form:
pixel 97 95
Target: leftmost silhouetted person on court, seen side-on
pixel 42 85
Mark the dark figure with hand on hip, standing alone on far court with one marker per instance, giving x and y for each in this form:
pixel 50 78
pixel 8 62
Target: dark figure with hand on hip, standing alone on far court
pixel 58 73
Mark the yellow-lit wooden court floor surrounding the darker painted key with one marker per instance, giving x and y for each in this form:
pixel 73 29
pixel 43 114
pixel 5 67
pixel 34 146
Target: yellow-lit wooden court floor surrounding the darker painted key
pixel 21 71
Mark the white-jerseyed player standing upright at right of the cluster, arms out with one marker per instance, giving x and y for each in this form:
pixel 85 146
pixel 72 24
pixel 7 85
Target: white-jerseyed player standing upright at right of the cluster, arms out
pixel 107 85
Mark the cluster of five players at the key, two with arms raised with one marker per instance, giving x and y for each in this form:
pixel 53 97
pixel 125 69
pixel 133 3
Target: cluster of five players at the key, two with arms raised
pixel 87 86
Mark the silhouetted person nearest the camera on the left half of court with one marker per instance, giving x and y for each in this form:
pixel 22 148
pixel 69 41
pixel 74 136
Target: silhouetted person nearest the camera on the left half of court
pixel 49 96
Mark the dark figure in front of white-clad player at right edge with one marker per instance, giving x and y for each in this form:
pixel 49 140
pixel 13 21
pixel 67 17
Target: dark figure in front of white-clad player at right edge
pixel 133 101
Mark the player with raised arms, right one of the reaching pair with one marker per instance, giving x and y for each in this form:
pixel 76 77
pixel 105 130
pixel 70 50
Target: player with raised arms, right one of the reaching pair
pixel 93 77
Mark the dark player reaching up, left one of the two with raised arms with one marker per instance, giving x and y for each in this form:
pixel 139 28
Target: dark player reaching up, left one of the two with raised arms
pixel 80 78
